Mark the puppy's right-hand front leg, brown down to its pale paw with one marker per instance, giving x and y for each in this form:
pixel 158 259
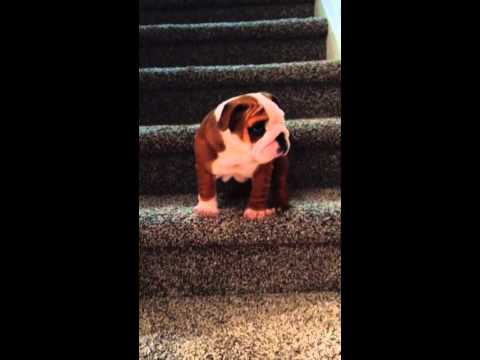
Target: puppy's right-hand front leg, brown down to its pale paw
pixel 258 203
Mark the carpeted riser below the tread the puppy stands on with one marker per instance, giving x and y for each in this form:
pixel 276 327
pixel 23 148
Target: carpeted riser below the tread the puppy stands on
pixel 208 271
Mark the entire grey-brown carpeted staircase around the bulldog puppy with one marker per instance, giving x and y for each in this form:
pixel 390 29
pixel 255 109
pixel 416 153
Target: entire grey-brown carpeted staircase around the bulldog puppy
pixel 206 285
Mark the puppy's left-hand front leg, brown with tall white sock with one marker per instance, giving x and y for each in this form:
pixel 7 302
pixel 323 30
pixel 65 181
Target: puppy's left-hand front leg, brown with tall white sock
pixel 207 198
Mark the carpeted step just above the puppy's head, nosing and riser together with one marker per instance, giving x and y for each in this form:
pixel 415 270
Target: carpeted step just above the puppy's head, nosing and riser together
pixel 187 94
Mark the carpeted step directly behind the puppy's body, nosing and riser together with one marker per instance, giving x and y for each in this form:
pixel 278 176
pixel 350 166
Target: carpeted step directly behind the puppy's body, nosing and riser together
pixel 167 161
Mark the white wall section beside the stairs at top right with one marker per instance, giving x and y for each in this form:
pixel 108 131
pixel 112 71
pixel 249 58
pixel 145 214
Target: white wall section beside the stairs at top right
pixel 331 9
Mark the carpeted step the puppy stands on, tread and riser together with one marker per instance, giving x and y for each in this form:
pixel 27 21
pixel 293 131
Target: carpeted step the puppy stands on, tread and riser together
pixel 298 250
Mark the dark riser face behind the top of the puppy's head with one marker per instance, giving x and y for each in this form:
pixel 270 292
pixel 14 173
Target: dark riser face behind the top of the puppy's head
pixel 189 106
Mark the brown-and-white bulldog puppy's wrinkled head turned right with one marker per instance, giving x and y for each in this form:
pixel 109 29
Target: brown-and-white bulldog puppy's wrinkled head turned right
pixel 254 121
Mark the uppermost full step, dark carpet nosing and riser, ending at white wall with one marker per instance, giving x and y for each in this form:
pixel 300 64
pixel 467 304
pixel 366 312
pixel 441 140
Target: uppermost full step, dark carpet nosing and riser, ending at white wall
pixel 256 42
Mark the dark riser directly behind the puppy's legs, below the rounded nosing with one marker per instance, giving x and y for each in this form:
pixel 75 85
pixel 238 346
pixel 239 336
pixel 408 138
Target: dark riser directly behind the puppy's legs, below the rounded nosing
pixel 170 174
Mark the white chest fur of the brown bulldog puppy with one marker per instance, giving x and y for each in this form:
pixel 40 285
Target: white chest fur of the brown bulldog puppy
pixel 235 161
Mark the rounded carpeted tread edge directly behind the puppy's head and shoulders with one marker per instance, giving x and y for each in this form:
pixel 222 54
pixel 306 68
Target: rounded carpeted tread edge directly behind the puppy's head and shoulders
pixel 304 133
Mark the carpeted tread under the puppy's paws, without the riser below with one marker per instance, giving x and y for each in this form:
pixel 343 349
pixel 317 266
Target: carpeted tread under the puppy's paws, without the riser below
pixel 169 221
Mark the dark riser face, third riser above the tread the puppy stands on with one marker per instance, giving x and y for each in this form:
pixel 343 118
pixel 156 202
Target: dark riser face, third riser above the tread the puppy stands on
pixel 231 52
